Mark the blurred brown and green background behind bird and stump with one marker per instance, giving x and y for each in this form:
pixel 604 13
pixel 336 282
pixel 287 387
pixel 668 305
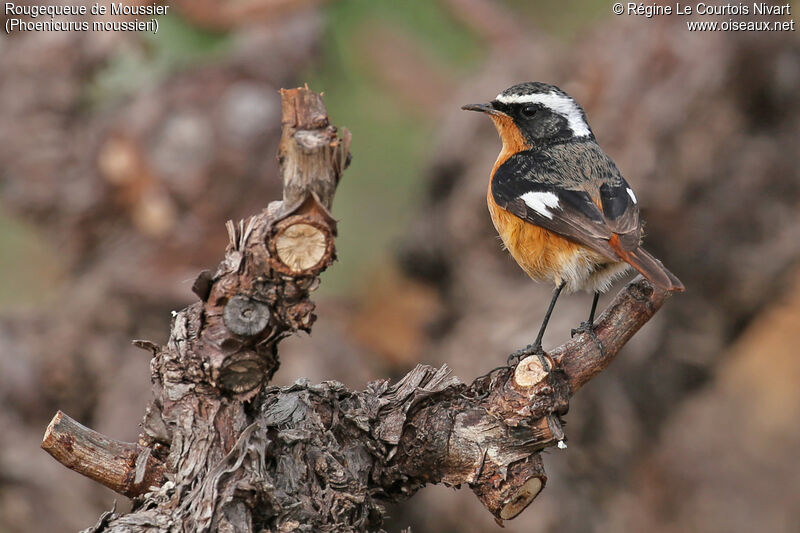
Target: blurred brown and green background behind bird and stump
pixel 122 155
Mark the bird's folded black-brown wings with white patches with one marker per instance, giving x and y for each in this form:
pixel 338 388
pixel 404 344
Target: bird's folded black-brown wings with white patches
pixel 533 191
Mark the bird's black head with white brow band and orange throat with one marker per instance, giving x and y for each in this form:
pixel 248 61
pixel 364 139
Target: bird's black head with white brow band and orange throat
pixel 542 113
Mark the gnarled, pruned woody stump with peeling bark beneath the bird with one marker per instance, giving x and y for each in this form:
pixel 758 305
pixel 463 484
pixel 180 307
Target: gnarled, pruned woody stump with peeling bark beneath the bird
pixel 239 455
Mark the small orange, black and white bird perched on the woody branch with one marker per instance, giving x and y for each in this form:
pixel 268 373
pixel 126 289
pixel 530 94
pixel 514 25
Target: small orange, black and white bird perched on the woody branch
pixel 560 204
